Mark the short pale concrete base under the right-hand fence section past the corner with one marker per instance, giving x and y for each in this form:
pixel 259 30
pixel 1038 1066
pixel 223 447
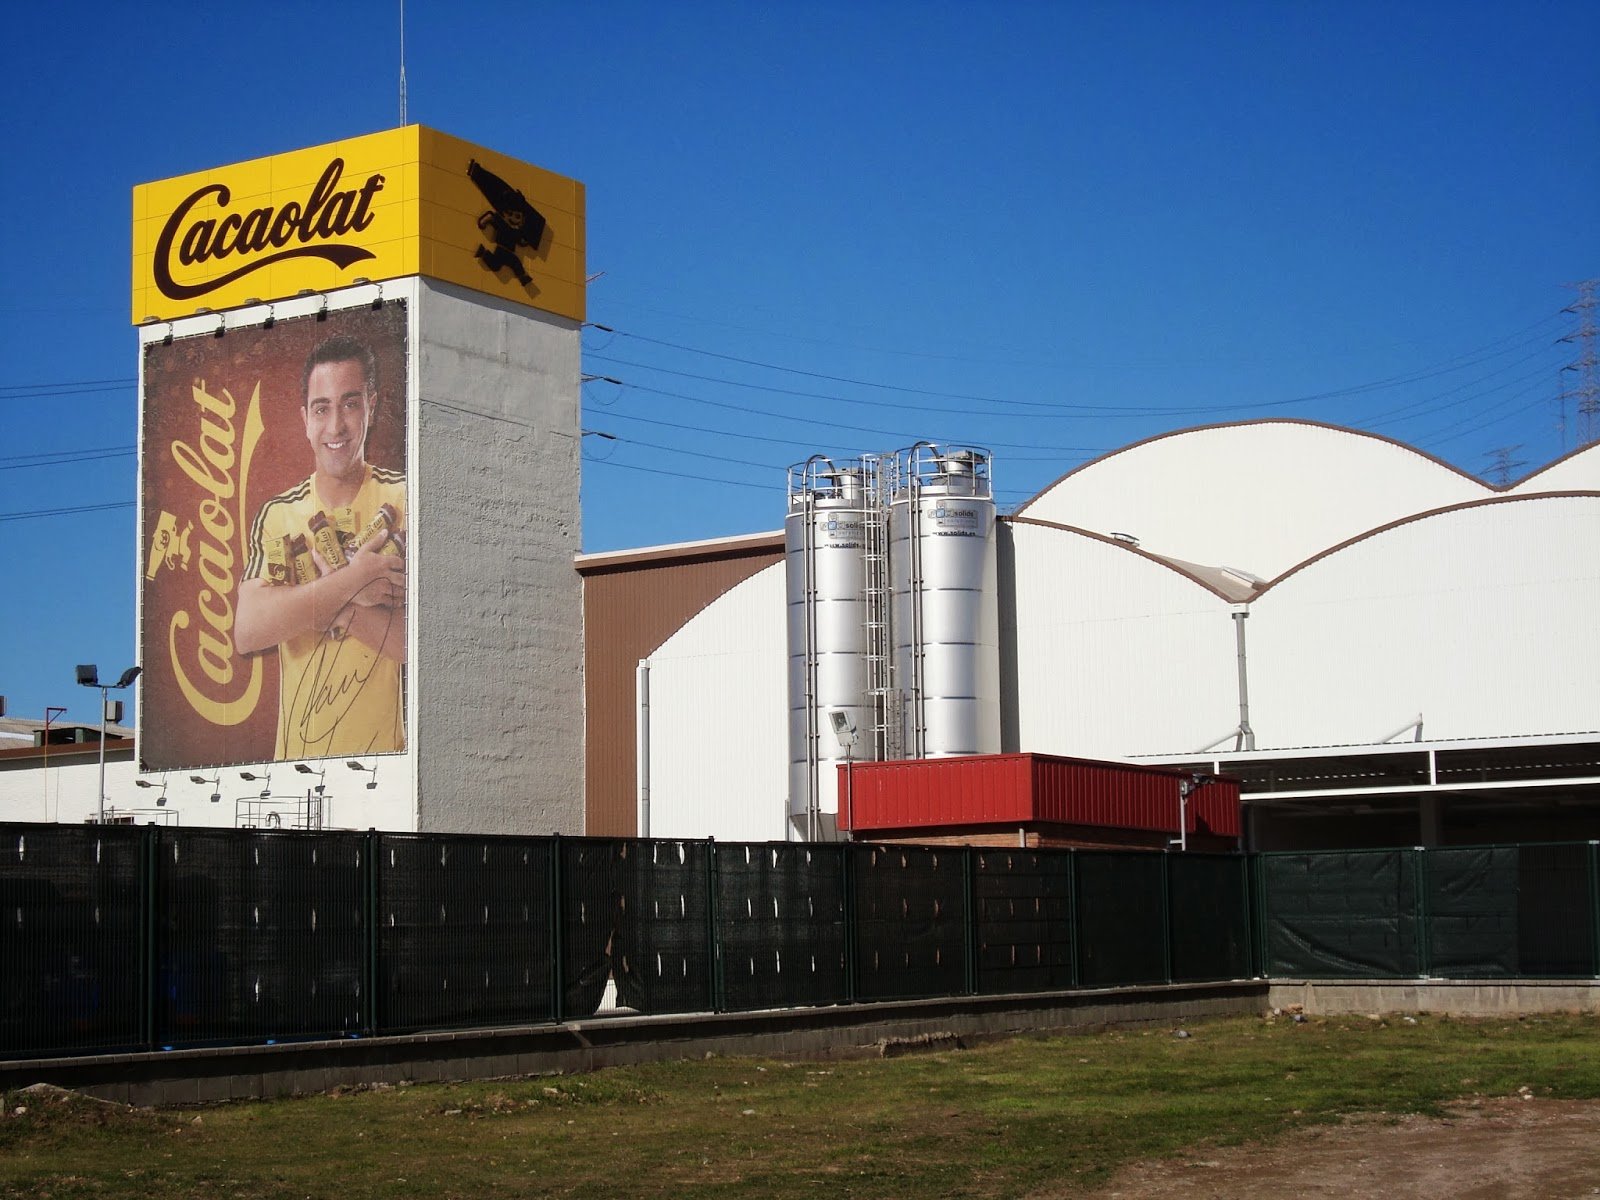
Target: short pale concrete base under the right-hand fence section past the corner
pixel 1454 998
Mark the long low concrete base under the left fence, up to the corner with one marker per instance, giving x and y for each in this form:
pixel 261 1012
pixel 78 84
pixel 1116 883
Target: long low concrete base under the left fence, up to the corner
pixel 255 1073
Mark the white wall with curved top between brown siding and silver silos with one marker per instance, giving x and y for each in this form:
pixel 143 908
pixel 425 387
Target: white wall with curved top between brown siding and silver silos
pixel 719 748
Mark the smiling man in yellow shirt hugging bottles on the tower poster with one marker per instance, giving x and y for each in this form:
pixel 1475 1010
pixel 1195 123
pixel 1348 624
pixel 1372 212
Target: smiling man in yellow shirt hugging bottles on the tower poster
pixel 326 574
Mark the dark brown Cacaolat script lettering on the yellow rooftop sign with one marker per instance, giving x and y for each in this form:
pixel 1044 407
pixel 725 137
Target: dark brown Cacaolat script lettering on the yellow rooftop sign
pixel 202 231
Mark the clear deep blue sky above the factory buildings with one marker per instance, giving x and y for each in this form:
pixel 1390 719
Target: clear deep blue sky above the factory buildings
pixel 1042 228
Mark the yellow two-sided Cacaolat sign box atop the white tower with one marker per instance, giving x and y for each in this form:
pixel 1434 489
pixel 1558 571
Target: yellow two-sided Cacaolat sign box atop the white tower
pixel 394 204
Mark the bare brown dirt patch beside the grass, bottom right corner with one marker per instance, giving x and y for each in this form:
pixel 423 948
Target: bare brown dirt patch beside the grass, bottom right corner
pixel 1482 1151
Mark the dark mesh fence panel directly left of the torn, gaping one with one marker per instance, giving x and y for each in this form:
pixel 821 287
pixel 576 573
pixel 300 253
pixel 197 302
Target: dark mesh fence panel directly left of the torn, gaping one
pixel 463 932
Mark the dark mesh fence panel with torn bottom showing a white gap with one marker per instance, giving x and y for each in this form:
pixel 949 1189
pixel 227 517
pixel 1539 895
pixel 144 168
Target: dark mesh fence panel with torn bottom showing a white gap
pixel 638 913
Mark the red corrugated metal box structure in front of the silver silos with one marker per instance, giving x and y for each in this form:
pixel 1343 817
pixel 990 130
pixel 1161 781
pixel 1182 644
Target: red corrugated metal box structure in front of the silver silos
pixel 1025 790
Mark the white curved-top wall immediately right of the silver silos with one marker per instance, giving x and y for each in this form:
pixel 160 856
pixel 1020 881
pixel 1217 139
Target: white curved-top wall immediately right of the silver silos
pixel 1116 654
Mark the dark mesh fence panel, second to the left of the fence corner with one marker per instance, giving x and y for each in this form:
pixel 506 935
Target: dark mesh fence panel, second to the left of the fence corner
pixel 1122 919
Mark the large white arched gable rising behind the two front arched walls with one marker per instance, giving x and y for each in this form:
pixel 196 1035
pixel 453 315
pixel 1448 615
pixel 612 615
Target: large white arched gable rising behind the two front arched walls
pixel 1257 497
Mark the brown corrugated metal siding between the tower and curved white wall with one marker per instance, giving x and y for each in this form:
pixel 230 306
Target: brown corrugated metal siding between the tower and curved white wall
pixel 630 610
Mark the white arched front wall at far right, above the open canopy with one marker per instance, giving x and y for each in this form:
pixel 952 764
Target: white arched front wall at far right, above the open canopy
pixel 1481 618
